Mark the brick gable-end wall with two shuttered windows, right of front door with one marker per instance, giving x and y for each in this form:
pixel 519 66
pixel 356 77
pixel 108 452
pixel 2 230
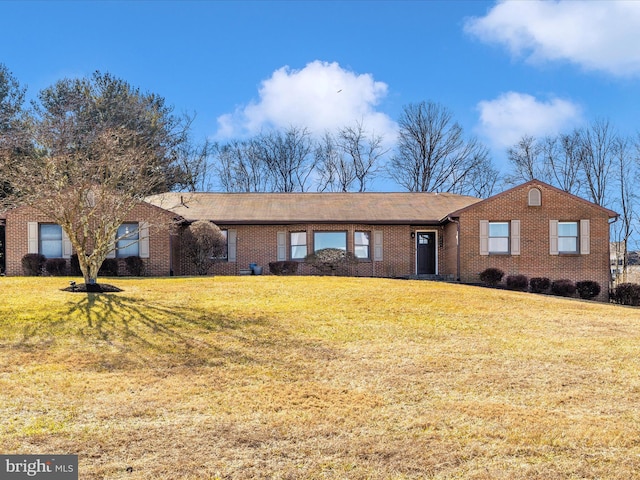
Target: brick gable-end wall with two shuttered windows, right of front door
pixel 535 258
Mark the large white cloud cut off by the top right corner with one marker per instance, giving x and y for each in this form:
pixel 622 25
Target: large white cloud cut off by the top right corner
pixel 597 35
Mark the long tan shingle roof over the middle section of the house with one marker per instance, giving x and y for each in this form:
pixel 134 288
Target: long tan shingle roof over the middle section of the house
pixel 274 208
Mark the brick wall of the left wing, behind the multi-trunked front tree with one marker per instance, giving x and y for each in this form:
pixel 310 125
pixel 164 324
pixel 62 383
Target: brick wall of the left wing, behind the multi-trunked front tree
pixel 158 262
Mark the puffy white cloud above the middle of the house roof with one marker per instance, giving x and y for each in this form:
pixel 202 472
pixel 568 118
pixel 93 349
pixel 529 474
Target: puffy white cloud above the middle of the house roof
pixel 322 96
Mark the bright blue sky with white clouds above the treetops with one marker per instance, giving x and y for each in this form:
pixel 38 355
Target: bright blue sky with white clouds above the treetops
pixel 503 69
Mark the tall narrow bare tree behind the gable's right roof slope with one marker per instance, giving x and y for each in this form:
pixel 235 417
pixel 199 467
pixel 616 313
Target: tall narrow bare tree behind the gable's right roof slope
pixel 597 158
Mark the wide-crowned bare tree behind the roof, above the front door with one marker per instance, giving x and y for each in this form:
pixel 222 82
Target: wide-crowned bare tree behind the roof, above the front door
pixel 432 153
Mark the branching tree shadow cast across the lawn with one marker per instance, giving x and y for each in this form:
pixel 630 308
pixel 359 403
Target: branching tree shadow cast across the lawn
pixel 125 330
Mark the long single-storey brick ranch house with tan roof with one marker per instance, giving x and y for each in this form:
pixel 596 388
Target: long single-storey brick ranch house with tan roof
pixel 533 229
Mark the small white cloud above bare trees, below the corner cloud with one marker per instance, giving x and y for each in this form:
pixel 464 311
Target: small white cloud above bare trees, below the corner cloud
pixel 504 120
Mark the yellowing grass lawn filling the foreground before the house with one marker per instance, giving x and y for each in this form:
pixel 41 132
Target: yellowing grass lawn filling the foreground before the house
pixel 318 378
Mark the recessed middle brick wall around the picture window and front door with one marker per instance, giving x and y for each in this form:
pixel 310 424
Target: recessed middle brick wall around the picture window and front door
pixel 259 244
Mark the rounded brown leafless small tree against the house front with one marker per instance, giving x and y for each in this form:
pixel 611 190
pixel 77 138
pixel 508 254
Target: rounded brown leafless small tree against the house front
pixel 203 242
